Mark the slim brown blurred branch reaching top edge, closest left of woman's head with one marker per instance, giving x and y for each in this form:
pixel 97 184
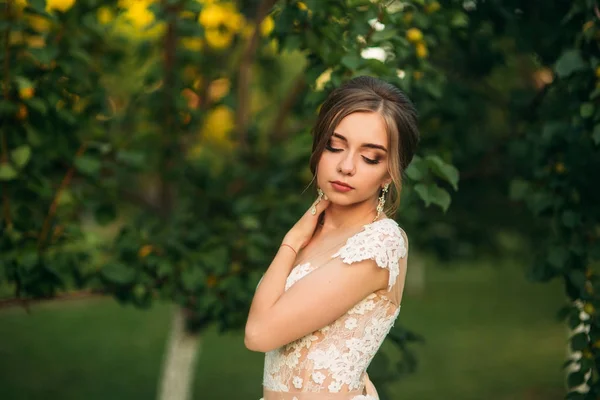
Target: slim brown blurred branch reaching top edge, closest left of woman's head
pixel 245 73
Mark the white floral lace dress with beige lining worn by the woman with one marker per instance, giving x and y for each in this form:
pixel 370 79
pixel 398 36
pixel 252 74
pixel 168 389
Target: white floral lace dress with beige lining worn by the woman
pixel 331 363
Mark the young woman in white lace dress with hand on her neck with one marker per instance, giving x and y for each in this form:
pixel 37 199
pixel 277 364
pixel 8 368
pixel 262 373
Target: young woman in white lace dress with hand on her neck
pixel 333 290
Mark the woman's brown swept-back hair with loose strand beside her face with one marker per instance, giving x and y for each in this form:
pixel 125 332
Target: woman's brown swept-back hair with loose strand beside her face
pixel 368 94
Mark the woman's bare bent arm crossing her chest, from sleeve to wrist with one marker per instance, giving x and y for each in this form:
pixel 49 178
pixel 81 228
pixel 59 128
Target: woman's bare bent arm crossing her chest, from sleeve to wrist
pixel 315 301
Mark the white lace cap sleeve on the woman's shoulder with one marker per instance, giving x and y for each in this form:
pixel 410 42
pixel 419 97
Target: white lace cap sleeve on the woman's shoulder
pixel 381 241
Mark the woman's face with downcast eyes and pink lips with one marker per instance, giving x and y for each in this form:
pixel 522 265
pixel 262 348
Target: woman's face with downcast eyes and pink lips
pixel 353 166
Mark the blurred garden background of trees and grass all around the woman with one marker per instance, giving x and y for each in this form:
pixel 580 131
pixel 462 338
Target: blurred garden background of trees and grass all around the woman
pixel 154 152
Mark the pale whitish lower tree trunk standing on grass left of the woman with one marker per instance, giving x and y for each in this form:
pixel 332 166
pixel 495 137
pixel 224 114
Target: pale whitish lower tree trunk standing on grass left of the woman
pixel 179 364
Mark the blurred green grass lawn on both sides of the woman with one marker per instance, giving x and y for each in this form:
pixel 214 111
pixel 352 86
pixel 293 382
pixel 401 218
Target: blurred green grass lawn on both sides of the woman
pixel 490 335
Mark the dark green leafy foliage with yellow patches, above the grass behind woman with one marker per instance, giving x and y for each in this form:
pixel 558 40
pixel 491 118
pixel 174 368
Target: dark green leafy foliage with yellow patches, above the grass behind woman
pixel 181 128
